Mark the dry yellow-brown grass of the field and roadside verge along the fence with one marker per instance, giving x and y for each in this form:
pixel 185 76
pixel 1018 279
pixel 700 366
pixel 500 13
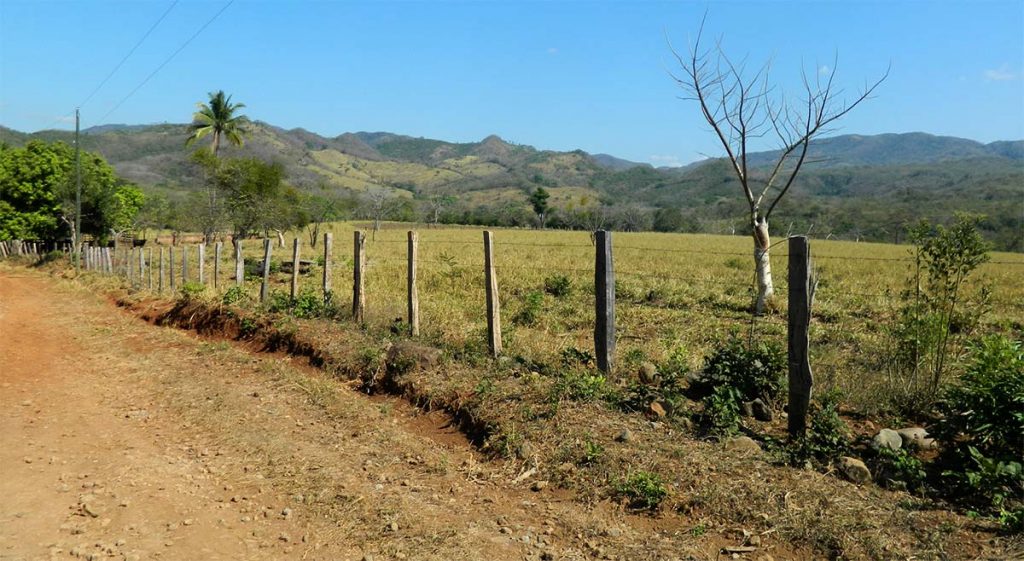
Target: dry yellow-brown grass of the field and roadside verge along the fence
pixel 679 296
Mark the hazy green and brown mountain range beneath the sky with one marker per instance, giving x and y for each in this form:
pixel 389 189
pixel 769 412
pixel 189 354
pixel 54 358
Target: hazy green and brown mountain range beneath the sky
pixel 863 187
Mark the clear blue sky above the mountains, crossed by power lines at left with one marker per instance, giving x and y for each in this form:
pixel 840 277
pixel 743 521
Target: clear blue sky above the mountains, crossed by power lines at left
pixel 556 75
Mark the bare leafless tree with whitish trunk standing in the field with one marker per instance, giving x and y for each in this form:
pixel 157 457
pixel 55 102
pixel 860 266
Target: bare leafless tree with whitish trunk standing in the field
pixel 744 107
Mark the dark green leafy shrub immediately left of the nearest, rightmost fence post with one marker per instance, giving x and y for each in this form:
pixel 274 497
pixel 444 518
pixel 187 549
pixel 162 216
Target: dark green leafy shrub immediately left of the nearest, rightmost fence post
pixel 754 372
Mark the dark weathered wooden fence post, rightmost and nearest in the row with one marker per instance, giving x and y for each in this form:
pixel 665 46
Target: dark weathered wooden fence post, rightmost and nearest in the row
pixel 801 296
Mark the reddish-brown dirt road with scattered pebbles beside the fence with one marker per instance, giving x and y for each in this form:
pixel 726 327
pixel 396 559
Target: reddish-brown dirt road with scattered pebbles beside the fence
pixel 123 441
